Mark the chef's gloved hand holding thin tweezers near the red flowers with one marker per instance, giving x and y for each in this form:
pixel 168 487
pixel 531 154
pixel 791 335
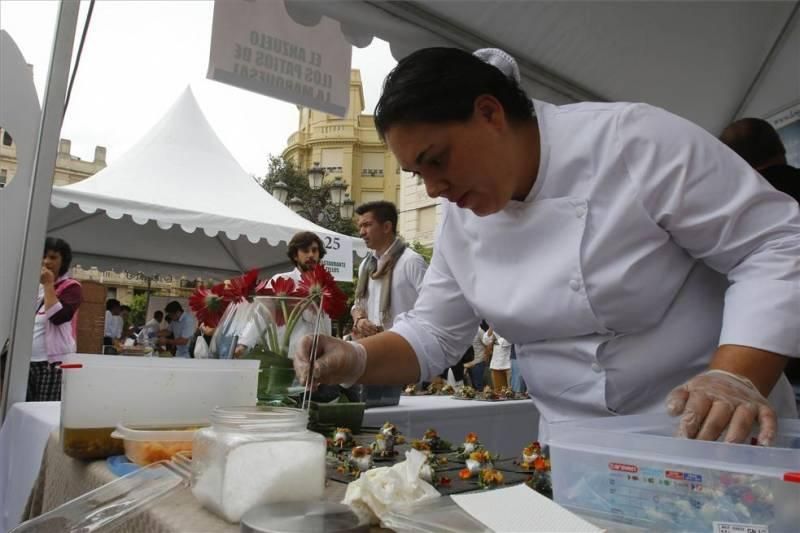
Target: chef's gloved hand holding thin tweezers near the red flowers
pixel 337 361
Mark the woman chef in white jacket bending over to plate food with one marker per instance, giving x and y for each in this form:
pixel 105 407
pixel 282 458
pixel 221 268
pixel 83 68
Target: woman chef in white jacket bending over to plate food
pixel 629 255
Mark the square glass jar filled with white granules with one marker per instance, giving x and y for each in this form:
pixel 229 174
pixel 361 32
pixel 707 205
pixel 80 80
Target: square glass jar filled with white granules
pixel 255 455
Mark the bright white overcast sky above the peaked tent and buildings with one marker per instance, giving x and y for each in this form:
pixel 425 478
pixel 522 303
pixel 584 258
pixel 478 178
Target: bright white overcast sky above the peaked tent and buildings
pixel 138 58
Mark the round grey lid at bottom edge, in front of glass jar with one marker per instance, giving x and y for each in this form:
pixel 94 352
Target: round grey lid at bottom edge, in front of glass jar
pixel 297 517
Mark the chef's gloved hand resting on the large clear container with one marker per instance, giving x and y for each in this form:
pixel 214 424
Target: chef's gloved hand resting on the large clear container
pixel 717 400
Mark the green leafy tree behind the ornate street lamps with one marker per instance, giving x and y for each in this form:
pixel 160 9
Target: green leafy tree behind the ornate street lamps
pixel 284 169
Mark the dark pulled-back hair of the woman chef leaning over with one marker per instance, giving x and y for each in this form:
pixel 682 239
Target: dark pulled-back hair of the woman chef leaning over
pixel 440 85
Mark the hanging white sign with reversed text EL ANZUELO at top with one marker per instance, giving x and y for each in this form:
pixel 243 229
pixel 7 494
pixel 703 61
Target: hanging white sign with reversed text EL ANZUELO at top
pixel 255 45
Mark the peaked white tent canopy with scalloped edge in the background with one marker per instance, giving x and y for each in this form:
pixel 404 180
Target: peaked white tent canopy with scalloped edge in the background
pixel 176 203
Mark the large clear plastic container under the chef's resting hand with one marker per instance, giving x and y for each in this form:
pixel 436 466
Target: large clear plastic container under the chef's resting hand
pixel 630 469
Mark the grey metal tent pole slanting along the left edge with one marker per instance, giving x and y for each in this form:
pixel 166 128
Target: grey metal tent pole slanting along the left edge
pixel 41 188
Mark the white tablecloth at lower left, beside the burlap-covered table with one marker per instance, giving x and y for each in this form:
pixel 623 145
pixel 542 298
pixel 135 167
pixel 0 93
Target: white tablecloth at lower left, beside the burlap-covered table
pixel 23 438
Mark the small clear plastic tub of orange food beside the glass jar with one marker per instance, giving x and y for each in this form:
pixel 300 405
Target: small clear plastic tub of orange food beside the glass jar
pixel 147 445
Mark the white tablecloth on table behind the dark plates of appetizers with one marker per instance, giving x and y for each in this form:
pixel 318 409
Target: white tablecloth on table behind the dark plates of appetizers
pixel 503 427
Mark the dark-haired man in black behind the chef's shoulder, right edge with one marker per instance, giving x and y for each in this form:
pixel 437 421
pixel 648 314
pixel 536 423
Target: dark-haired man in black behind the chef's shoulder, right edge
pixel 757 142
